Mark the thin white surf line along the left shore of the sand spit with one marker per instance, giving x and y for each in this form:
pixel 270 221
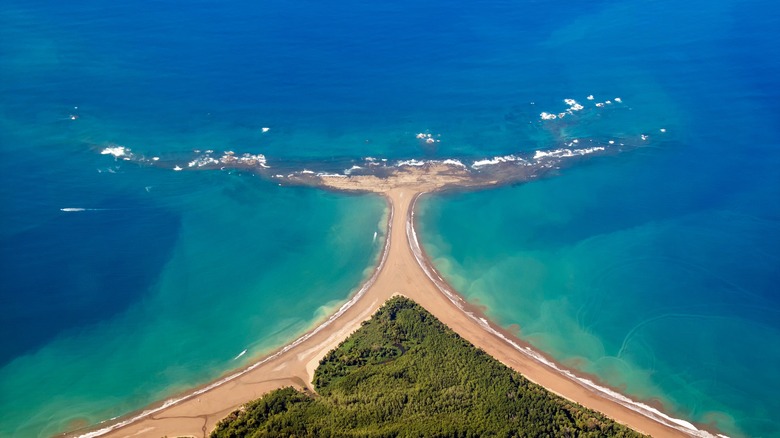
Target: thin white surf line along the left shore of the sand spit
pixel 346 306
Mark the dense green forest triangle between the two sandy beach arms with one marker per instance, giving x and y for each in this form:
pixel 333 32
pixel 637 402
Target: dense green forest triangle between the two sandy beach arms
pixel 406 374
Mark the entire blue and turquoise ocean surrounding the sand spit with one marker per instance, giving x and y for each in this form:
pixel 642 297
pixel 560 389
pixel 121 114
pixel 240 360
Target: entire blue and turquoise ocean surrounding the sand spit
pixel 653 270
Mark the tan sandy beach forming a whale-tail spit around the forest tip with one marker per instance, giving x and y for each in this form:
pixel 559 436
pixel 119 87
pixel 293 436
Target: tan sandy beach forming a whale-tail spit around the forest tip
pixel 403 270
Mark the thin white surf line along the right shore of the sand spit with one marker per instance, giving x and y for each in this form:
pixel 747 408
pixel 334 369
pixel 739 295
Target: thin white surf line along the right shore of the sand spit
pixel 641 408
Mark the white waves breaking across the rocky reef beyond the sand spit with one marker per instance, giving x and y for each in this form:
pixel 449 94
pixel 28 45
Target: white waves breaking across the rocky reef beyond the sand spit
pixel 510 168
